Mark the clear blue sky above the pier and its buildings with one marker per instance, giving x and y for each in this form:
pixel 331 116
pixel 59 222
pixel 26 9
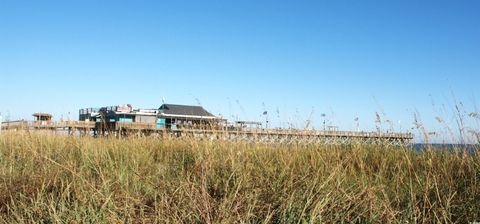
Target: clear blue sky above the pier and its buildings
pixel 295 59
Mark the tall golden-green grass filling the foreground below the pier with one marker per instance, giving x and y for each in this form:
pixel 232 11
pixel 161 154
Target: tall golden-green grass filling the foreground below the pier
pixel 50 179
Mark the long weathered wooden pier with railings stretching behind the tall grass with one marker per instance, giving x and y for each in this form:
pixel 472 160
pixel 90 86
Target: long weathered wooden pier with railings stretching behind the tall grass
pixel 282 136
